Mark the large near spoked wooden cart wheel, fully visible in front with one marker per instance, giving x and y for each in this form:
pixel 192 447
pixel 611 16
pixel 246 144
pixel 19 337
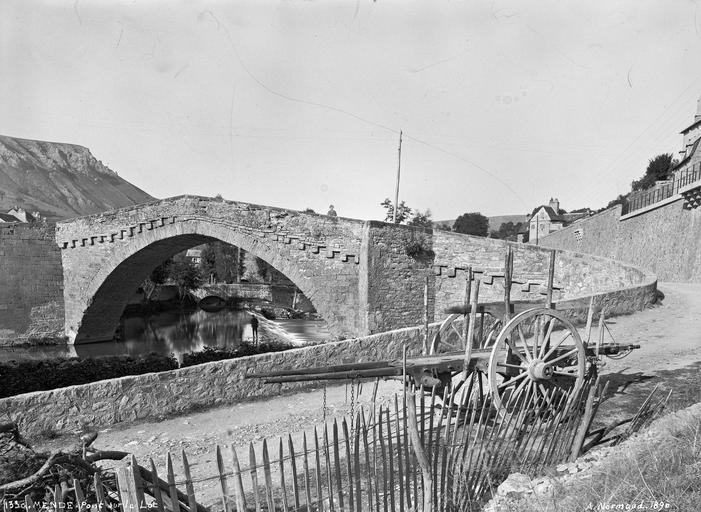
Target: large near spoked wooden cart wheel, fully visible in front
pixel 539 353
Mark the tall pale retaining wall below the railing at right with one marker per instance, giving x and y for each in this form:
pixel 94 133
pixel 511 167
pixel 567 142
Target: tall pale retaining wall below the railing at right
pixel 665 241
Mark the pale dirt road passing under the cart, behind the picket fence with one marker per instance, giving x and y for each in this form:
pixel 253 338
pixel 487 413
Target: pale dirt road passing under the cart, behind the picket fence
pixel 670 335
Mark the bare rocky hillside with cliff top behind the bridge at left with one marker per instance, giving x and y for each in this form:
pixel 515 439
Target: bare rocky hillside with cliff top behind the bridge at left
pixel 60 180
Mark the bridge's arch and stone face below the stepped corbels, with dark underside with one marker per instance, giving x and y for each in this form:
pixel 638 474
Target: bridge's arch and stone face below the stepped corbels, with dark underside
pixel 94 306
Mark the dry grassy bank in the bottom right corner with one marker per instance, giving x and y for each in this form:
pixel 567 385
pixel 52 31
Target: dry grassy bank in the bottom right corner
pixel 650 473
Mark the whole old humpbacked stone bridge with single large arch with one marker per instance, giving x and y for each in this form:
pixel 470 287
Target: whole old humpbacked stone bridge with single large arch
pixel 362 276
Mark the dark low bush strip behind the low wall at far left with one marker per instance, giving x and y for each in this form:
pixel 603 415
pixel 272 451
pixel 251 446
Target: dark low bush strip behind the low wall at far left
pixel 27 376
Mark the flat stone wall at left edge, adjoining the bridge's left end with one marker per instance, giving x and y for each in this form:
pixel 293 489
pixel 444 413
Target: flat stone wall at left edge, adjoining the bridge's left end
pixel 31 285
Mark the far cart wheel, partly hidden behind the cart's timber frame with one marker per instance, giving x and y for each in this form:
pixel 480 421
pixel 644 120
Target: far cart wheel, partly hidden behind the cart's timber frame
pixel 472 387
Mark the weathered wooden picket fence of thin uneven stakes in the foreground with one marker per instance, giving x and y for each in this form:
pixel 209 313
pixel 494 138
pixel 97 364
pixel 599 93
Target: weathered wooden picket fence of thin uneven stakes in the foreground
pixel 439 453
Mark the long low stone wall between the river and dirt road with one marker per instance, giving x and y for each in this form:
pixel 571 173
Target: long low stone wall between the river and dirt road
pixel 152 396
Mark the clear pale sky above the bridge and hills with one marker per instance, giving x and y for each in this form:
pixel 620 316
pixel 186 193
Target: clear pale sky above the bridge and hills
pixel 299 104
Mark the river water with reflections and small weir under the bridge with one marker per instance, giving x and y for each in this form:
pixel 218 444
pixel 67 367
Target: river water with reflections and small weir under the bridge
pixel 180 332
